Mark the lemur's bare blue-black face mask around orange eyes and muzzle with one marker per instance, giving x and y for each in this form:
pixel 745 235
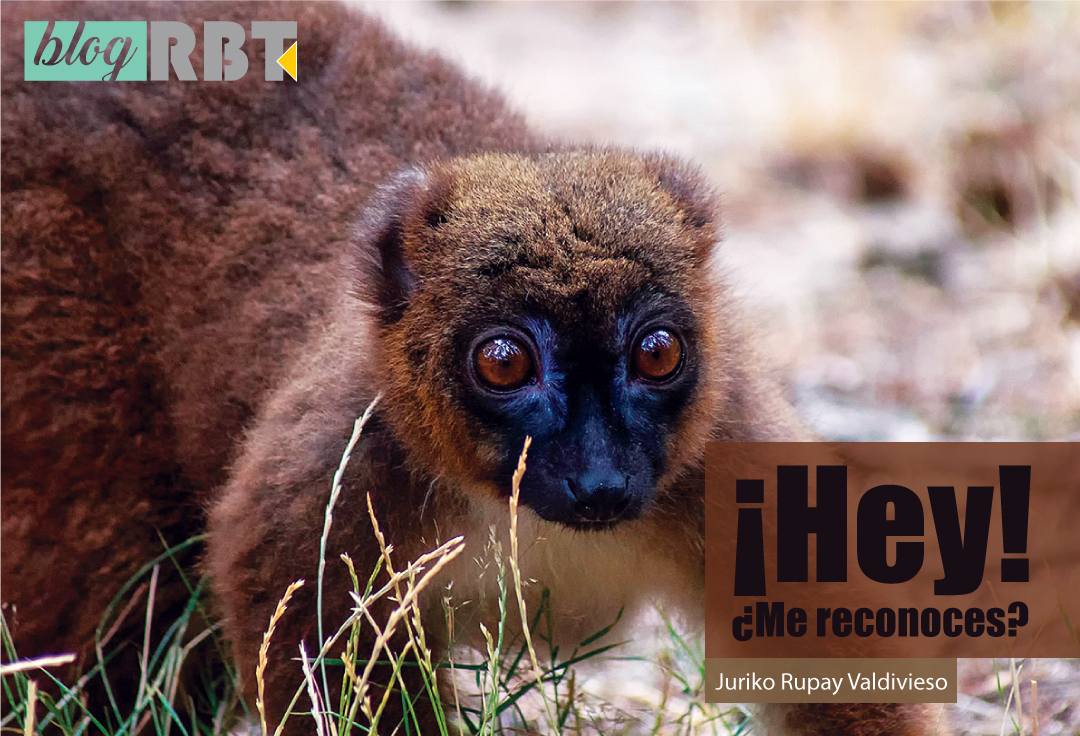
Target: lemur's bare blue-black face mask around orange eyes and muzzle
pixel 601 393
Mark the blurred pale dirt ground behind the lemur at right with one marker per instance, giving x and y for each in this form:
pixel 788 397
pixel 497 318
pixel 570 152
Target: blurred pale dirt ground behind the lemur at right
pixel 901 185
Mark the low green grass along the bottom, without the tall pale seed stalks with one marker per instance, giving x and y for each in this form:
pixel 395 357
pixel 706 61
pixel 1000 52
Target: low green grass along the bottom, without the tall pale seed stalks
pixel 207 700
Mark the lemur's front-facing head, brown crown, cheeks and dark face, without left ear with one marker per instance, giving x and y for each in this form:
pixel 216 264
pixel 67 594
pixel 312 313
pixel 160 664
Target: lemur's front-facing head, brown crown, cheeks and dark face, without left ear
pixel 564 298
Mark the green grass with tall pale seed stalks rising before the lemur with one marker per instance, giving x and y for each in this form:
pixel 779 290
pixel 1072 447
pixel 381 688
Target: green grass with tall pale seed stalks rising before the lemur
pixel 187 686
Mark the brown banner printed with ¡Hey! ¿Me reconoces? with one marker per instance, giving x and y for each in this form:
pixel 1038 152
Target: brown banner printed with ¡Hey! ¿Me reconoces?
pixel 893 550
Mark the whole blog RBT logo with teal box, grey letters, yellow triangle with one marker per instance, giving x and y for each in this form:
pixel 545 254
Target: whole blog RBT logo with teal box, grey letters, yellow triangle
pixel 113 51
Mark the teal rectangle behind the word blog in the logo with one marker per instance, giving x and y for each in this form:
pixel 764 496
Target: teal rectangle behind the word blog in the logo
pixel 91 47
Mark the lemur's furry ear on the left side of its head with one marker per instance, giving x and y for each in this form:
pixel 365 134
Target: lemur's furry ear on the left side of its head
pixel 393 223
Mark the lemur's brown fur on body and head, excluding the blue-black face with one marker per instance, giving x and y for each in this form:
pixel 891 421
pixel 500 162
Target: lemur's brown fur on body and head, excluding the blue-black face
pixel 196 310
